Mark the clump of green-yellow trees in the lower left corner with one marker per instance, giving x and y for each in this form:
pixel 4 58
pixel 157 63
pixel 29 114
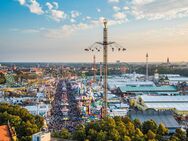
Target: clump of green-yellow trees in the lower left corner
pixel 24 123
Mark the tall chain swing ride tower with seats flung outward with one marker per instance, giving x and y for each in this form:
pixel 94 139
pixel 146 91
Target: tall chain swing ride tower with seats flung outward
pixel 105 44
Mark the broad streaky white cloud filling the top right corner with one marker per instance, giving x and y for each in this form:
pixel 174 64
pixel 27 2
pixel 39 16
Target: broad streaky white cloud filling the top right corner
pixel 159 9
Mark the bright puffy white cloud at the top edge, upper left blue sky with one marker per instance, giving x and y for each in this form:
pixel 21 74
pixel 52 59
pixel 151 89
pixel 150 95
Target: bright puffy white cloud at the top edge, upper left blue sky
pixel 35 8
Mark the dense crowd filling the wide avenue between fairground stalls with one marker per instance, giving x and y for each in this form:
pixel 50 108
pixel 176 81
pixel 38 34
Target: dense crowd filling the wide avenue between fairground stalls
pixel 65 110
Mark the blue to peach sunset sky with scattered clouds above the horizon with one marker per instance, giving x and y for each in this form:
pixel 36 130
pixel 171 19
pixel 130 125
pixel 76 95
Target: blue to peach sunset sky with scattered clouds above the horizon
pixel 60 30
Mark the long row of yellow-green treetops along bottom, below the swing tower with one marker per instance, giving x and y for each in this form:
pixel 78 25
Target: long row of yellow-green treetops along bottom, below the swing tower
pixel 122 129
